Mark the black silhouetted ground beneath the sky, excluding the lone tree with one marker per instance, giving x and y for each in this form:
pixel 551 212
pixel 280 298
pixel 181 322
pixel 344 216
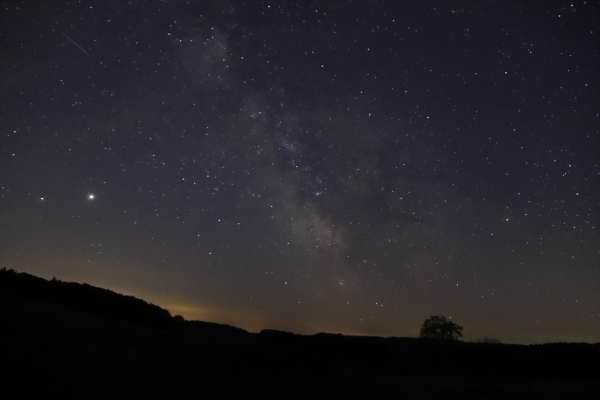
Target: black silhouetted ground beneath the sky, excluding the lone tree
pixel 64 340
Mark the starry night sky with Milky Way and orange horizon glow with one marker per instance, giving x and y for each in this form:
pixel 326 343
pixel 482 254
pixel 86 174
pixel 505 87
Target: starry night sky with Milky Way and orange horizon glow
pixel 350 167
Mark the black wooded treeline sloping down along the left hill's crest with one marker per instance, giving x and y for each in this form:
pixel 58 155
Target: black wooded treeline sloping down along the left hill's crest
pixel 100 301
